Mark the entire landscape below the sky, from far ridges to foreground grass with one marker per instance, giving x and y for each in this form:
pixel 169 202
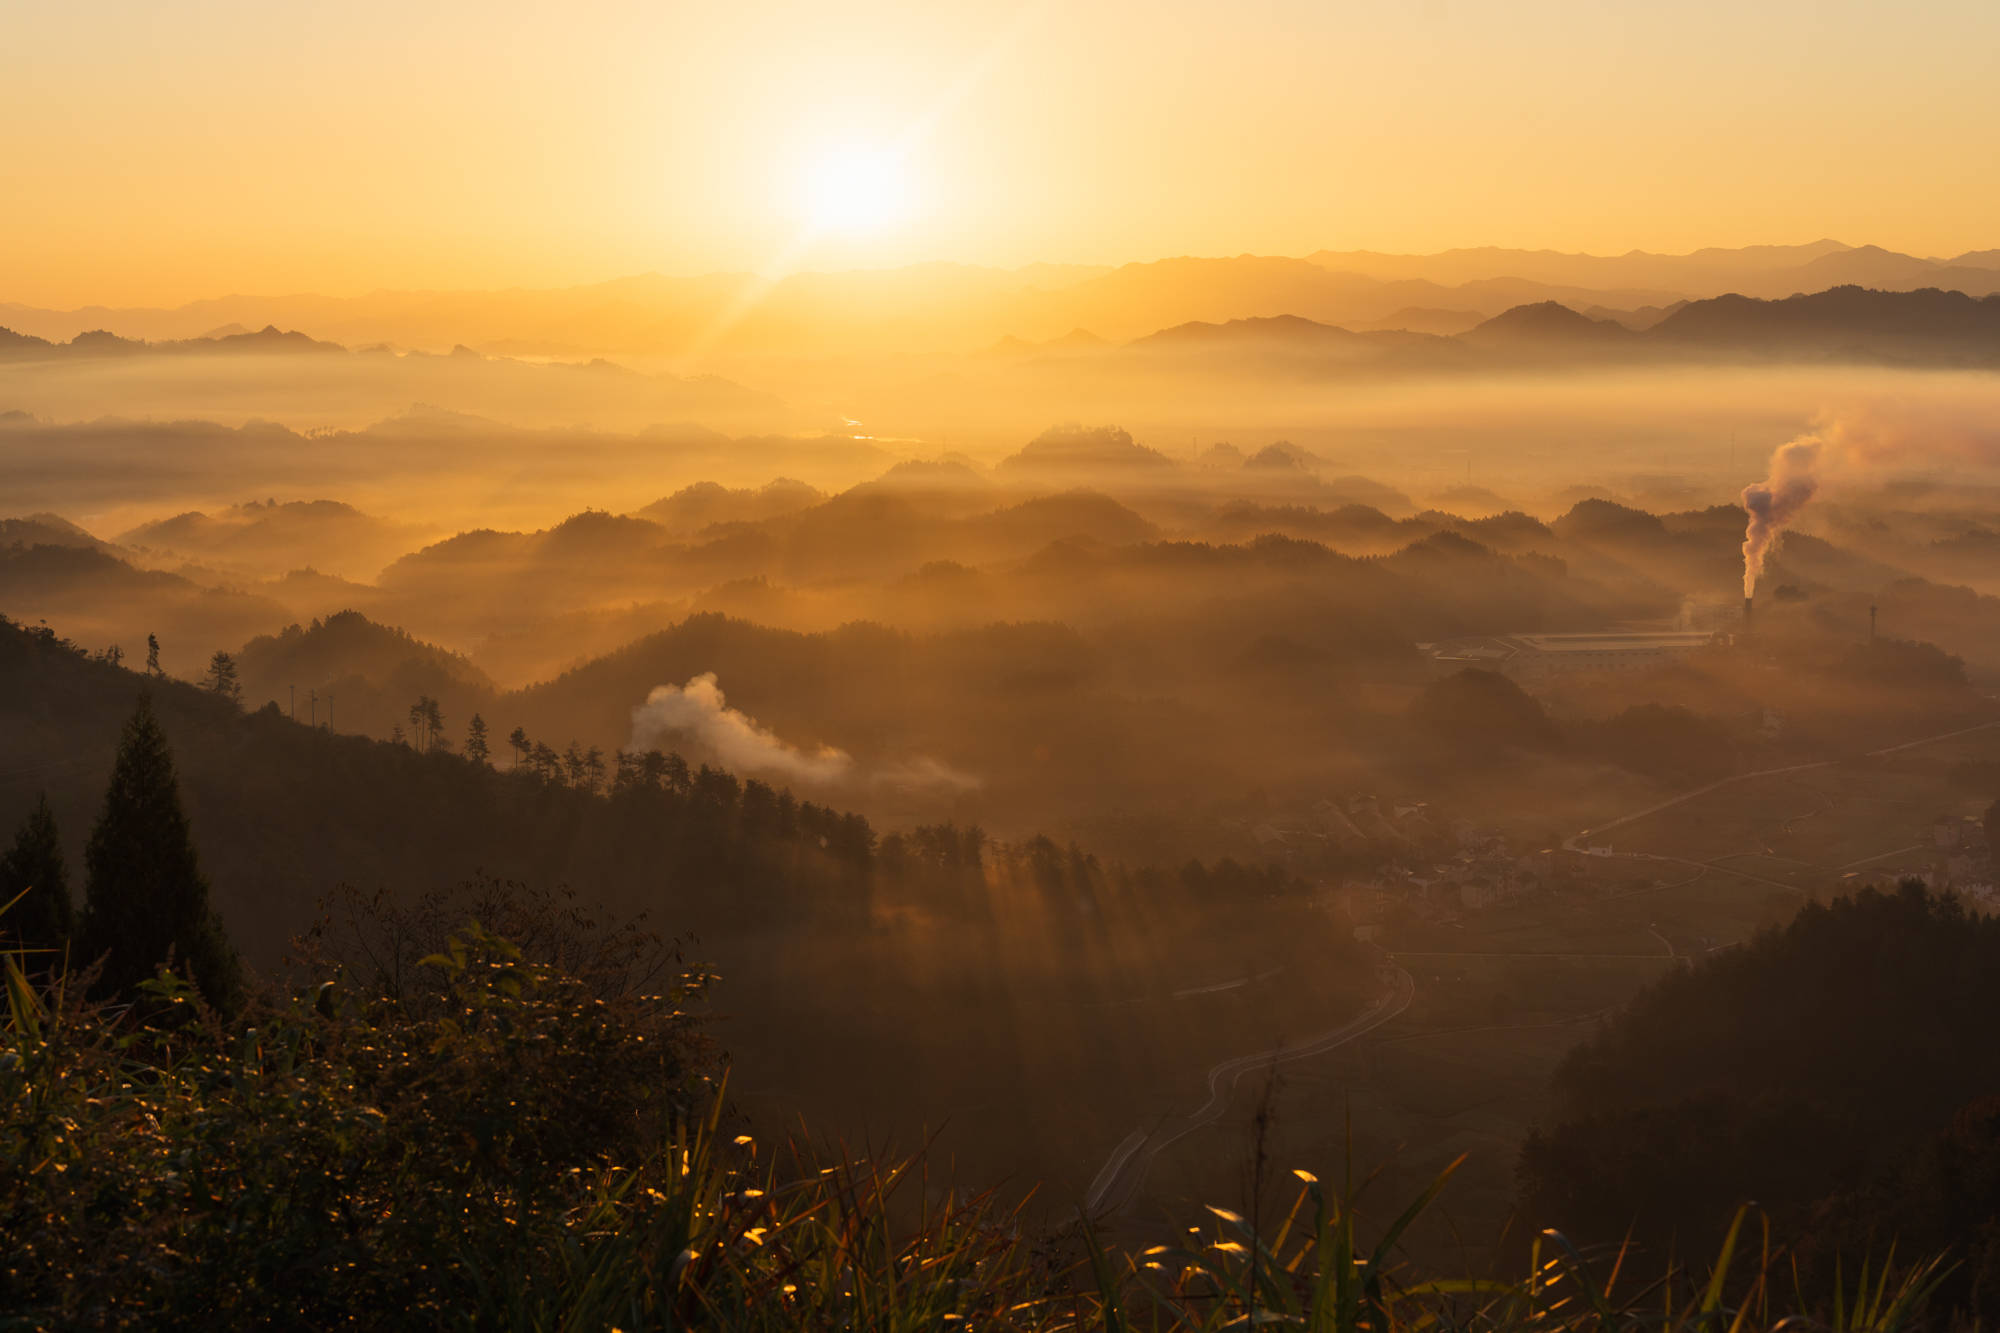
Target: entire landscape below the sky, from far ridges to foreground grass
pixel 661 798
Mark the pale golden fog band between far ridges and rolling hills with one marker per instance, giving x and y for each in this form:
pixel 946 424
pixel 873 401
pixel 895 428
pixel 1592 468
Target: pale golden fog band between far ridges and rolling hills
pixel 463 441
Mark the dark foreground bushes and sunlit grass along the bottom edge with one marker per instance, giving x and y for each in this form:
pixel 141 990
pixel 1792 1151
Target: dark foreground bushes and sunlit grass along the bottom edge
pixel 511 1150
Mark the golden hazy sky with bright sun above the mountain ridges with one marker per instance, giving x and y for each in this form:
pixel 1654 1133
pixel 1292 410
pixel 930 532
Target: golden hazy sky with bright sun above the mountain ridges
pixel 161 151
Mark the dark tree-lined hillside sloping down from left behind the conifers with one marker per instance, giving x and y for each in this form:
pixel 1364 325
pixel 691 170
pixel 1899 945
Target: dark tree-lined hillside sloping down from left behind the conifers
pixel 849 960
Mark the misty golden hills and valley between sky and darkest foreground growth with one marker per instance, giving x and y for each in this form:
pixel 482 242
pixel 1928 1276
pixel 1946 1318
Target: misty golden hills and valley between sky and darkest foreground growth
pixel 1351 625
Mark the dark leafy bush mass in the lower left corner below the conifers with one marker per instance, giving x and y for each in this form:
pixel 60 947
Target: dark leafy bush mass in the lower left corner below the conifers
pixel 329 1158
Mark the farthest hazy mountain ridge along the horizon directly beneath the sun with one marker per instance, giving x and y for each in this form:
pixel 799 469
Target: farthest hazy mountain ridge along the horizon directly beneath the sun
pixel 965 309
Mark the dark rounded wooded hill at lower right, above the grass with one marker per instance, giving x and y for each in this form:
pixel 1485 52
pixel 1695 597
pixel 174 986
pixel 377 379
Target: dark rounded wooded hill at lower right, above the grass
pixel 1841 1072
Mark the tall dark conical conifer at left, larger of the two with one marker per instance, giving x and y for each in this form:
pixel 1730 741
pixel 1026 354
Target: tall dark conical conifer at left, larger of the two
pixel 147 898
